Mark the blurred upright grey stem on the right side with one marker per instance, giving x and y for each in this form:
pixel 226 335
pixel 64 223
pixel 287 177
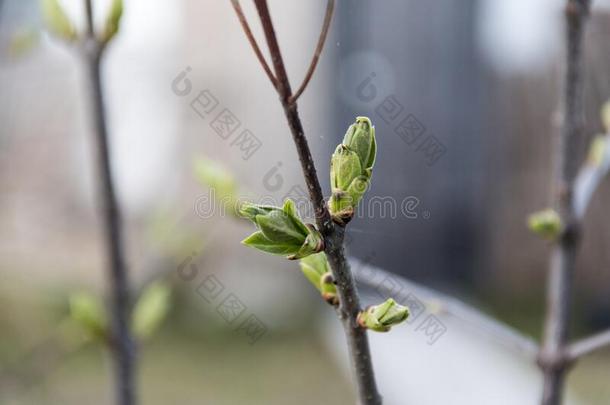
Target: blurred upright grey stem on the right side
pixel 552 359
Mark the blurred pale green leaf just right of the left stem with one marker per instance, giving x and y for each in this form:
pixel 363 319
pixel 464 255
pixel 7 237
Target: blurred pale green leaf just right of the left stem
pixel 151 309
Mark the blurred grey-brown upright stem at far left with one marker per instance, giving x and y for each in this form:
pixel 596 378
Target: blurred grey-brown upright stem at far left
pixel 121 341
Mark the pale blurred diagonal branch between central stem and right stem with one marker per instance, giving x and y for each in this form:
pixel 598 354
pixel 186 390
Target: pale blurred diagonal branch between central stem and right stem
pixel 443 304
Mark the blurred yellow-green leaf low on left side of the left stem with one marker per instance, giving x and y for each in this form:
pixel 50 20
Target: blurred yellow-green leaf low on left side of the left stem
pixel 87 311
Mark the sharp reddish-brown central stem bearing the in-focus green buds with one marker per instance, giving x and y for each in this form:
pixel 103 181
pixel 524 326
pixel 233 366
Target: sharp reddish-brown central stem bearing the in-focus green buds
pixel 333 235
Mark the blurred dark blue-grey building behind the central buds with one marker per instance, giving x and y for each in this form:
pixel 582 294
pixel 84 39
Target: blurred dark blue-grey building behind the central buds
pixel 413 68
